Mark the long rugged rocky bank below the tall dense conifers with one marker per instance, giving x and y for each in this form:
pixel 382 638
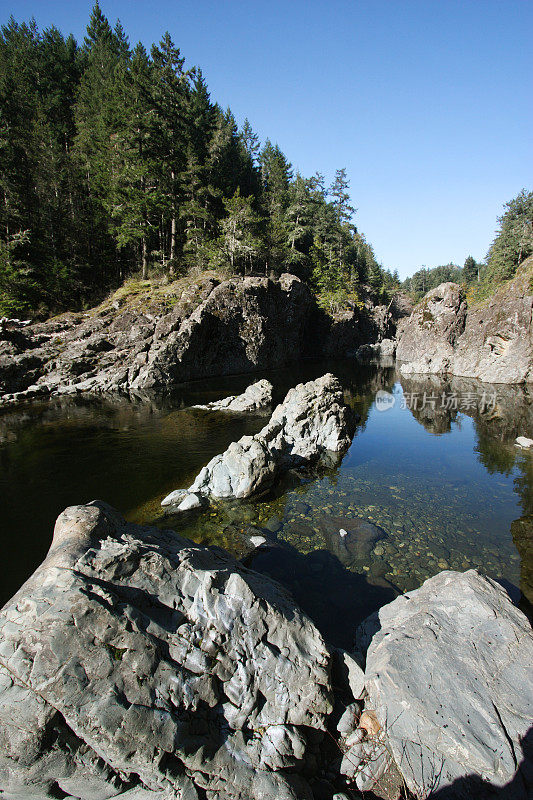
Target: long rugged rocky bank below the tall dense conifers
pixel 203 329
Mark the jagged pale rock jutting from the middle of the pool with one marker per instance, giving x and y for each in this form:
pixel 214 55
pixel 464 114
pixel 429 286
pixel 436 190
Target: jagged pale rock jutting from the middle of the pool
pixel 311 421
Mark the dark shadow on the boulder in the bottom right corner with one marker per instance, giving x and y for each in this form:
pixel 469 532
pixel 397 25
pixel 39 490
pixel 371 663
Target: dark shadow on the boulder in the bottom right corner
pixel 472 786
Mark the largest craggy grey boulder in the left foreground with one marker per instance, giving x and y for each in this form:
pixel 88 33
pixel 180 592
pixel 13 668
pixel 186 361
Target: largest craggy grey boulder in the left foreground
pixel 137 664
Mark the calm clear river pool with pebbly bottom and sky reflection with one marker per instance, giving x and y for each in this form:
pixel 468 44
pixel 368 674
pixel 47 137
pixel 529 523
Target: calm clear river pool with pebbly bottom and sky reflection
pixel 418 491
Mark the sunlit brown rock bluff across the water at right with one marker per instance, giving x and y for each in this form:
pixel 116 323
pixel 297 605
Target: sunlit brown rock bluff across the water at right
pixel 492 342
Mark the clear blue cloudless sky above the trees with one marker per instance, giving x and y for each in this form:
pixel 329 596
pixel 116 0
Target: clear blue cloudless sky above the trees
pixel 427 103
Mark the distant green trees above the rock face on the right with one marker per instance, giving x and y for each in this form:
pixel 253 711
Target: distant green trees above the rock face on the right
pixel 512 244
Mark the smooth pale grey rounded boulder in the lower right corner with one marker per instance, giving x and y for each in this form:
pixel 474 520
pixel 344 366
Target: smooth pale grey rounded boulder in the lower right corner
pixel 448 673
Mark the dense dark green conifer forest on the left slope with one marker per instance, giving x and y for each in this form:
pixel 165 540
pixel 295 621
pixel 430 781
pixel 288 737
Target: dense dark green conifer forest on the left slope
pixel 115 160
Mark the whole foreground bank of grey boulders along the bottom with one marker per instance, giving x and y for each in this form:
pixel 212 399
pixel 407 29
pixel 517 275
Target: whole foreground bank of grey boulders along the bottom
pixel 137 664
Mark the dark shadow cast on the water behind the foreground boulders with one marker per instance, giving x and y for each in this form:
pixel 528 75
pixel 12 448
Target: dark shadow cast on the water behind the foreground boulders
pixel 335 598
